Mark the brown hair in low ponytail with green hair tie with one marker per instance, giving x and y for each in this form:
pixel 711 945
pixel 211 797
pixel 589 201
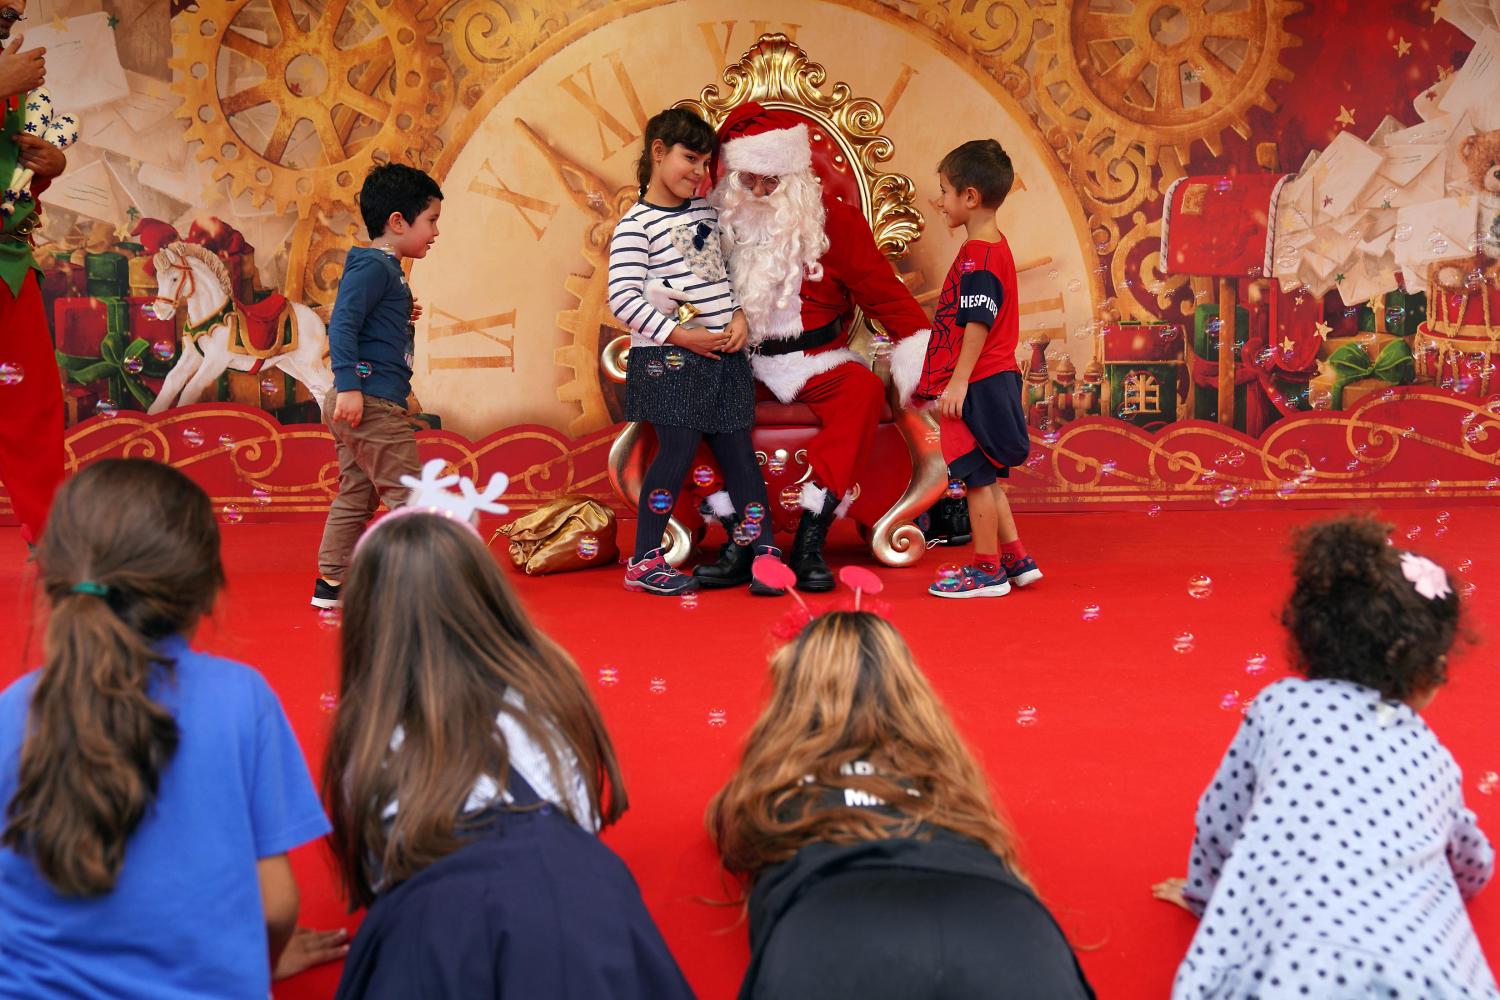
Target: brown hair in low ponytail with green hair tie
pixel 95 741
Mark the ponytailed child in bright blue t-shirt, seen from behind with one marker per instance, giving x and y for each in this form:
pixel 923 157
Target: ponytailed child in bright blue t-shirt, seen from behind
pixel 151 791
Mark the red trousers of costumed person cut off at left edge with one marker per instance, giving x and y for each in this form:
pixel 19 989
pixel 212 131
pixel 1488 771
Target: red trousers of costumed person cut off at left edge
pixel 31 410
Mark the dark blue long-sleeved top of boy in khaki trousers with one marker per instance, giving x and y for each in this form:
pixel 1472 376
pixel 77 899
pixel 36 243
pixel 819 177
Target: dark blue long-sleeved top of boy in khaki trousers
pixel 371 337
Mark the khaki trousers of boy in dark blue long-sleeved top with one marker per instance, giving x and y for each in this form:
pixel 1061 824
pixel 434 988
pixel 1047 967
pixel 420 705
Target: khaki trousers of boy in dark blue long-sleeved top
pixel 373 458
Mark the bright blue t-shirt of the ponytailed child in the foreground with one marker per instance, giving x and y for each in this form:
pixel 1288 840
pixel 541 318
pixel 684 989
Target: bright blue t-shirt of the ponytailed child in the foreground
pixel 185 918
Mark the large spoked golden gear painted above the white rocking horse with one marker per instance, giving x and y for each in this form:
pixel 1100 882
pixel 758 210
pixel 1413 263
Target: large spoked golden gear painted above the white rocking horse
pixel 395 80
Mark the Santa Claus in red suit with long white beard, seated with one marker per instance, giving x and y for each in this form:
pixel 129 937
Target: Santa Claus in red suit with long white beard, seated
pixel 802 262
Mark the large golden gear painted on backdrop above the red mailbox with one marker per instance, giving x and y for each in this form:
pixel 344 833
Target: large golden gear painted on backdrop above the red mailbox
pixel 1132 74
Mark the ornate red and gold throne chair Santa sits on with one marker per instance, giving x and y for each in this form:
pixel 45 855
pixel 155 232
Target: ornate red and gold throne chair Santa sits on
pixel 907 473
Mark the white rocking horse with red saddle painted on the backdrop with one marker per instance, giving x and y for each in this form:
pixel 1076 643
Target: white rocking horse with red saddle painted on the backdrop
pixel 220 334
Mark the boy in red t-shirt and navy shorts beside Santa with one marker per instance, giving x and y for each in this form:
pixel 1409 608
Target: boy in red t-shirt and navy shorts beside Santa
pixel 971 370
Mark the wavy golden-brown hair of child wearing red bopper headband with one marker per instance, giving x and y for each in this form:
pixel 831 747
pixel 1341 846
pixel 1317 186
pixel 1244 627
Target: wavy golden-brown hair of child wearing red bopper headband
pixel 845 690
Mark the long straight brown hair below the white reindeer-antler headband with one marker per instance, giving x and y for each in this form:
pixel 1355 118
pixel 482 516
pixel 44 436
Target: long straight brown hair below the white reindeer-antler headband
pixel 433 641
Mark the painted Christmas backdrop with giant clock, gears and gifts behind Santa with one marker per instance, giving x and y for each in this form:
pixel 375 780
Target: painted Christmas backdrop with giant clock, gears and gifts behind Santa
pixel 248 125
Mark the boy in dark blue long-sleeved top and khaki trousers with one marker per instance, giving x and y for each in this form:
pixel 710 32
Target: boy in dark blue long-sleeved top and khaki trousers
pixel 371 340
